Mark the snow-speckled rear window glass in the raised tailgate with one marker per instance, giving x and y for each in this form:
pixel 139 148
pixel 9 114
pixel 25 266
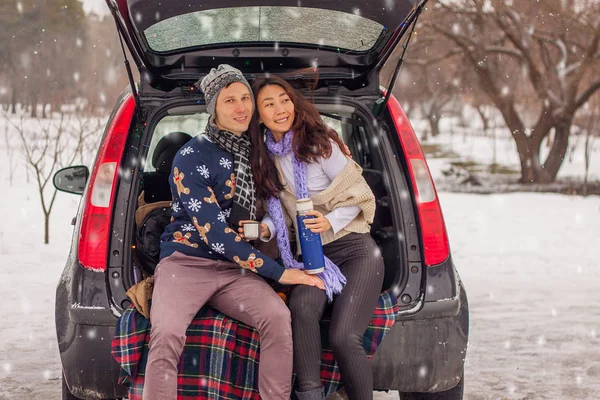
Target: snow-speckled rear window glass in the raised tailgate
pixel 301 25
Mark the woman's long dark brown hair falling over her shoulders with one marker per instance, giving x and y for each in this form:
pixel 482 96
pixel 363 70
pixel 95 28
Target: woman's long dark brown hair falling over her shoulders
pixel 311 137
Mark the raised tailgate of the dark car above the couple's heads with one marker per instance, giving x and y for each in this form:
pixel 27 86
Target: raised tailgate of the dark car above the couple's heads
pixel 174 42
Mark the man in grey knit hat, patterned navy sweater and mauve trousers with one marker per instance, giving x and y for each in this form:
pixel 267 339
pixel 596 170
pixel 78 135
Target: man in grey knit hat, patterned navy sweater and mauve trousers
pixel 203 260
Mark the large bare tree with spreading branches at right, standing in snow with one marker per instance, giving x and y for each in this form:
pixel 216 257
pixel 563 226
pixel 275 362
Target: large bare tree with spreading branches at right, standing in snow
pixel 534 60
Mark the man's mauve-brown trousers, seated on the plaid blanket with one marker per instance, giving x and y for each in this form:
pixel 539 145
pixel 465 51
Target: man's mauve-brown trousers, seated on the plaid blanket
pixel 184 284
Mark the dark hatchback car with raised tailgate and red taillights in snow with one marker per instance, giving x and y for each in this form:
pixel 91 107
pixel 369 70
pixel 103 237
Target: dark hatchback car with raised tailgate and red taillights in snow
pixel 340 48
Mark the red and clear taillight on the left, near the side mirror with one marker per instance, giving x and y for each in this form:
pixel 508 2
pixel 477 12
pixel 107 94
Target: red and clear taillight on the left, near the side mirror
pixel 94 234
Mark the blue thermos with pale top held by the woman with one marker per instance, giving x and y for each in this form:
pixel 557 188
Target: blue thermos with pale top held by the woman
pixel 310 243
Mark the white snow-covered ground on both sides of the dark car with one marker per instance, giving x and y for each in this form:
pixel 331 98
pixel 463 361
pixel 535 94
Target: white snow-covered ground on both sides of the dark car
pixel 529 263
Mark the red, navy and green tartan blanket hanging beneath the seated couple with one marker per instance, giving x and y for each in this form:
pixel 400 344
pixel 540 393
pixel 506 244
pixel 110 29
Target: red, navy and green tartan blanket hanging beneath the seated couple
pixel 221 355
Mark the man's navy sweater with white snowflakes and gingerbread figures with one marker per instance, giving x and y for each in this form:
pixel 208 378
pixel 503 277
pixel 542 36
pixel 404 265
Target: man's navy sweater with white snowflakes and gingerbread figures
pixel 203 184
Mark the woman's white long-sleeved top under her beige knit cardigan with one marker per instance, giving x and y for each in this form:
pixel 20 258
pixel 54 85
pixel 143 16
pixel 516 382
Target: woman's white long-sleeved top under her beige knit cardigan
pixel 319 176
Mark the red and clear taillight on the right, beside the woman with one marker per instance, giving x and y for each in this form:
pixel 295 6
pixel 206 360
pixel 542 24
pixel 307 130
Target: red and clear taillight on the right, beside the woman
pixel 433 230
